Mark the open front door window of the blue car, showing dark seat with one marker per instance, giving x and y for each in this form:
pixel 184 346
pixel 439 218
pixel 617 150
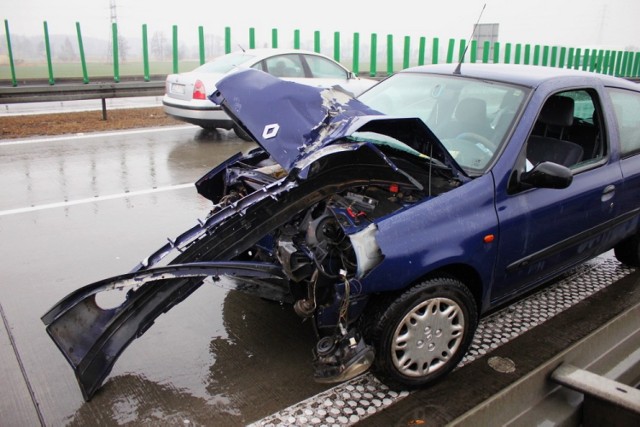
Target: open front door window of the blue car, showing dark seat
pixel 568 131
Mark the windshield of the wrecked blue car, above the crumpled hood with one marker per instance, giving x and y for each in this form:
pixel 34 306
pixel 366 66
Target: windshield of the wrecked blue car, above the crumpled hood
pixel 470 117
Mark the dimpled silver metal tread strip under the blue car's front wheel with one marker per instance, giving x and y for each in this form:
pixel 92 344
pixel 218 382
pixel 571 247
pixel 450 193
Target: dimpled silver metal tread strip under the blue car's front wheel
pixel 351 402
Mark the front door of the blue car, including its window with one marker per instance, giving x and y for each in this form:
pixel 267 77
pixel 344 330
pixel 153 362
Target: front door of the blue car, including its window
pixel 543 230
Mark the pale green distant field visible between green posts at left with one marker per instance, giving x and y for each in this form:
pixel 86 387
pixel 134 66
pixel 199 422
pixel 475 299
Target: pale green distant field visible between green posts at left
pixel 94 69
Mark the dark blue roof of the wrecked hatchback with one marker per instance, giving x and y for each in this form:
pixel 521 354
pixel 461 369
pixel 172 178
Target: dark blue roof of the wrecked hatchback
pixel 524 75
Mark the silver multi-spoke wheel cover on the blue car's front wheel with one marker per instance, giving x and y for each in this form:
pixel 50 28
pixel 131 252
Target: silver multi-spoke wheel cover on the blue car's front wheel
pixel 427 337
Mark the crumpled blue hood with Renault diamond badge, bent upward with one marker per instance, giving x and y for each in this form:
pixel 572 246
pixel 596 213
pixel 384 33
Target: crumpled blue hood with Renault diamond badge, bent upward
pixel 291 121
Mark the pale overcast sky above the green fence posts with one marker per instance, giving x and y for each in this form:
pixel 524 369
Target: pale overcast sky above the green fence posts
pixel 589 23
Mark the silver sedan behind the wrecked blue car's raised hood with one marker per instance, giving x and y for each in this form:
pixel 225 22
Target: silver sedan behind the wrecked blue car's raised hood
pixel 187 94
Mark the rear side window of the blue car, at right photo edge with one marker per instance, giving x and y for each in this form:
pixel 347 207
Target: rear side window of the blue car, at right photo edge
pixel 626 105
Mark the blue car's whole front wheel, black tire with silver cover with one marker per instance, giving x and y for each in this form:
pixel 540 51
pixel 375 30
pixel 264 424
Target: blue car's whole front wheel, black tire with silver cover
pixel 443 314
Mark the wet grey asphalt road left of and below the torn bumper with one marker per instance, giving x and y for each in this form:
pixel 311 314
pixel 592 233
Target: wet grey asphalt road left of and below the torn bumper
pixel 76 210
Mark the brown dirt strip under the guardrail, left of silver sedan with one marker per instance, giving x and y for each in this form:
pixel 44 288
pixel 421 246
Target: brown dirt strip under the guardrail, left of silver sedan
pixel 25 126
